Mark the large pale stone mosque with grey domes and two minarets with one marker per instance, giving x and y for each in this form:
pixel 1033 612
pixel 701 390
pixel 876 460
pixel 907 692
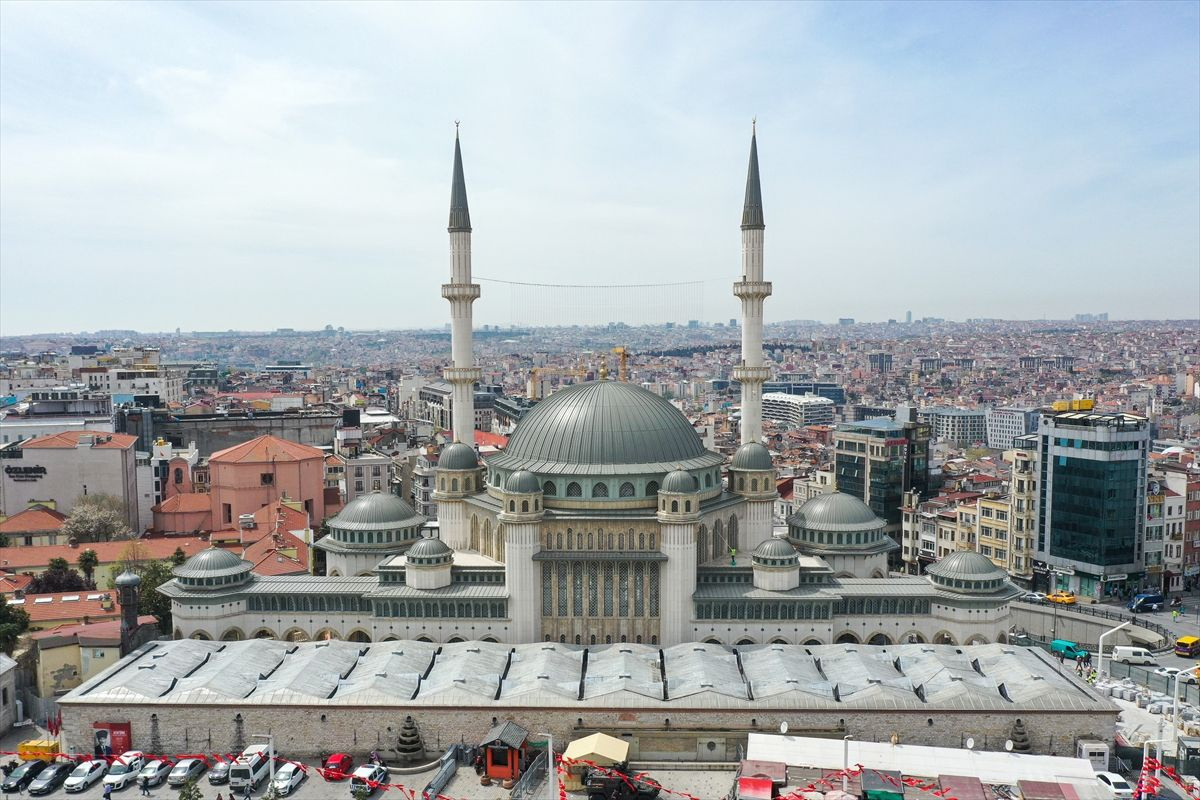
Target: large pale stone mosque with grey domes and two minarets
pixel 604 521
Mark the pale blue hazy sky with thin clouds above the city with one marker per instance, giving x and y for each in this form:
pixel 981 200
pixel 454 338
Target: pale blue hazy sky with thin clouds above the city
pixel 253 166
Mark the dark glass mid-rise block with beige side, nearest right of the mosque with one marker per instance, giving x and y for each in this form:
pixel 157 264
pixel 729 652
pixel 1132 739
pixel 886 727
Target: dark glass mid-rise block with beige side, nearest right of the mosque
pixel 878 461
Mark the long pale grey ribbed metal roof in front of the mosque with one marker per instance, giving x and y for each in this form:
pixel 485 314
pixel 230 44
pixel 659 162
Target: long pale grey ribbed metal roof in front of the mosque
pixel 921 678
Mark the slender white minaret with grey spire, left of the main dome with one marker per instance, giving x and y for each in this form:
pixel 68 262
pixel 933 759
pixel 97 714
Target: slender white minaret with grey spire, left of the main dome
pixel 461 293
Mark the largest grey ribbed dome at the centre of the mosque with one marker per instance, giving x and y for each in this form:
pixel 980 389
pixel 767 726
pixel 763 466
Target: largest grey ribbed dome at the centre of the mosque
pixel 601 429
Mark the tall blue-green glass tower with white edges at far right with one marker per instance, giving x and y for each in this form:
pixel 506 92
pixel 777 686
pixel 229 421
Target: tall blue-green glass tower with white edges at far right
pixel 1091 500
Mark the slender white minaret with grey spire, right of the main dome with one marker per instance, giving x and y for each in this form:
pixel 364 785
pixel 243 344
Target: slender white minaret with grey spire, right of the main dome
pixel 752 290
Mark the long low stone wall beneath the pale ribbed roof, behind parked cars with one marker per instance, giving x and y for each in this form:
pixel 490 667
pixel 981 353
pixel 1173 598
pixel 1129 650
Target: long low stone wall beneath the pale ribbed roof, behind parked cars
pixel 659 733
